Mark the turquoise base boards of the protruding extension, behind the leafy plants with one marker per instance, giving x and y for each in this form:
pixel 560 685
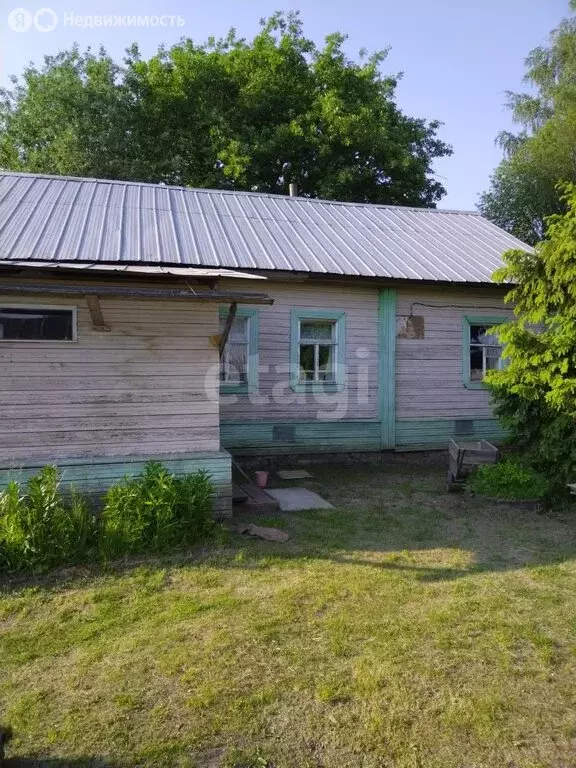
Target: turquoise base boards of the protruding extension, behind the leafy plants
pixel 96 475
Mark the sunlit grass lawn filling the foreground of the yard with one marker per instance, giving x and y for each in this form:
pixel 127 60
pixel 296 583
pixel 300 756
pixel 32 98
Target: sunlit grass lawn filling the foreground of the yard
pixel 407 628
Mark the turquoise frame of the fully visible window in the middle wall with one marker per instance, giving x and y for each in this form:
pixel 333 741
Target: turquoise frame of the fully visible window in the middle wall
pixel 337 342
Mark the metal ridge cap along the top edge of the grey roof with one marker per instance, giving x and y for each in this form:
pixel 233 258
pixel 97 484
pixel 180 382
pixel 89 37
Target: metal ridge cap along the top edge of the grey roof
pixel 250 193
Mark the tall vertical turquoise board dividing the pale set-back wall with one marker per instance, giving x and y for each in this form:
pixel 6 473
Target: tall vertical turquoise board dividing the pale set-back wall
pixel 387 367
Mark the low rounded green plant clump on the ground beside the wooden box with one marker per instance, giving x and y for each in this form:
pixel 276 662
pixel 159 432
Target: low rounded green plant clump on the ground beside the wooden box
pixel 508 480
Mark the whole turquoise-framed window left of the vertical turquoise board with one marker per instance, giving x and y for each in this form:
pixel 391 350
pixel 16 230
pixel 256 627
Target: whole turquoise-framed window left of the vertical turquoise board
pixel 317 351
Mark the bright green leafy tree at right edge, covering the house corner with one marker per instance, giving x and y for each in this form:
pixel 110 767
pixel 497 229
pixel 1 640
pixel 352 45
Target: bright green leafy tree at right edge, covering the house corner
pixel 535 395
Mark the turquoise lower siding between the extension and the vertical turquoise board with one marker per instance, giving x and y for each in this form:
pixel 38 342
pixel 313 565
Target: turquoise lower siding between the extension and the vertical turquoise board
pixel 248 438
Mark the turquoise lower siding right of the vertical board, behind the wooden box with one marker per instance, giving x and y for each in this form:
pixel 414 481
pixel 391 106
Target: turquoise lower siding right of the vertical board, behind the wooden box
pixel 414 434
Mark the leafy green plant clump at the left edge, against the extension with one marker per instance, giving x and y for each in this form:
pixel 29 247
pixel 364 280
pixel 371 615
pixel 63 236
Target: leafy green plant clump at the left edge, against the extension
pixel 40 527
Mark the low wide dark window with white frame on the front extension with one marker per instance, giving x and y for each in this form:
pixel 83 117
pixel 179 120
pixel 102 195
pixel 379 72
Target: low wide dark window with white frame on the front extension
pixel 19 323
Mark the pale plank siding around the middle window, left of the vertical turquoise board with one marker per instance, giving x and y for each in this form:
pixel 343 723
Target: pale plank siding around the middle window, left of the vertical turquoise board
pixel 274 400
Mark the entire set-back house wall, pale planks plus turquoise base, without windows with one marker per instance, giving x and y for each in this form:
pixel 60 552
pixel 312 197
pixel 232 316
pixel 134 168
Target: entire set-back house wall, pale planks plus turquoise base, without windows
pixel 430 396
